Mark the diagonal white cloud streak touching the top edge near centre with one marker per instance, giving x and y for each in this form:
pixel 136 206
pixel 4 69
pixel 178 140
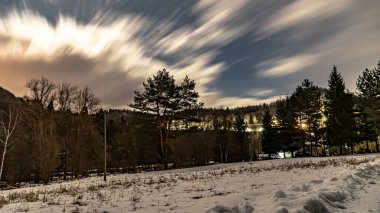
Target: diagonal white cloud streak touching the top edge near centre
pixel 214 28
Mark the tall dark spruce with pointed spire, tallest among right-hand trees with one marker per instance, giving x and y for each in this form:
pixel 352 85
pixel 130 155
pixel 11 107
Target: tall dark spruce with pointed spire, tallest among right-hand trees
pixel 339 112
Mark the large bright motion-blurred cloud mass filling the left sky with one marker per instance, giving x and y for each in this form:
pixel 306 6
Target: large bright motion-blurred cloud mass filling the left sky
pixel 110 46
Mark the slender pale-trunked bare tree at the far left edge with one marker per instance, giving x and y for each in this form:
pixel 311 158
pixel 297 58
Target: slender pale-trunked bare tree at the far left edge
pixel 8 122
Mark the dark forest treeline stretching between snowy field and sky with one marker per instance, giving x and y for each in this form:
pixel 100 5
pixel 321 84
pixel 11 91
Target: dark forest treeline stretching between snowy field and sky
pixel 58 131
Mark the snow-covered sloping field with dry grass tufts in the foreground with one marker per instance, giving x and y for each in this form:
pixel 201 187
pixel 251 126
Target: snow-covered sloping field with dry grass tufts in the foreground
pixel 303 185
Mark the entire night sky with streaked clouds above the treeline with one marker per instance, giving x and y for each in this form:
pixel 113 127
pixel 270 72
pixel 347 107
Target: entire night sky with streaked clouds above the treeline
pixel 239 52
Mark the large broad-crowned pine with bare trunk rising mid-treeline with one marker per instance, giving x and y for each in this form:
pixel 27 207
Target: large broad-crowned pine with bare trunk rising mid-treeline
pixel 165 99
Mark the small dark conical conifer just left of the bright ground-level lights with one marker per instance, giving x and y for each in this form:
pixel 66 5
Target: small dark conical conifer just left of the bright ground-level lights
pixel 268 138
